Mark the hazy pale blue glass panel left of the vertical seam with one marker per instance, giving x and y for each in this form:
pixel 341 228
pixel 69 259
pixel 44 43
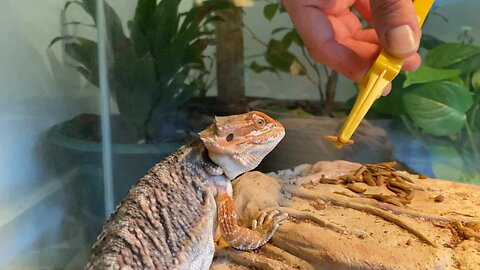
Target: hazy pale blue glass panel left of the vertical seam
pixel 41 217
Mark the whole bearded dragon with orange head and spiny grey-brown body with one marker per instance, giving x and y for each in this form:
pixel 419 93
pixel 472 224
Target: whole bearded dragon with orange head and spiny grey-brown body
pixel 168 219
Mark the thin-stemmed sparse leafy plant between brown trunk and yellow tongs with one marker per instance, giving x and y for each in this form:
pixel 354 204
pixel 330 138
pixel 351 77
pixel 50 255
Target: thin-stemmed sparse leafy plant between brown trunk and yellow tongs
pixel 285 52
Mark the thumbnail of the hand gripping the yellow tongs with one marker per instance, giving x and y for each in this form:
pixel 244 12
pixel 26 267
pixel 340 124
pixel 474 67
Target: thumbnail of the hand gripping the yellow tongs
pixel 400 40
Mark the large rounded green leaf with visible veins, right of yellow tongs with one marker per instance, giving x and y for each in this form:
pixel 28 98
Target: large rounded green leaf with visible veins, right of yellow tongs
pixel 438 107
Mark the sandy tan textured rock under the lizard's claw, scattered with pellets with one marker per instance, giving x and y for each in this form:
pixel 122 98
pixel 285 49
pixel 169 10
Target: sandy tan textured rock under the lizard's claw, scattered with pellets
pixel 333 228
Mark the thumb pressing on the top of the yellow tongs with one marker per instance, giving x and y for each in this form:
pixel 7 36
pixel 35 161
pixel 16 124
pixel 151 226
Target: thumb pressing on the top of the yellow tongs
pixel 396 25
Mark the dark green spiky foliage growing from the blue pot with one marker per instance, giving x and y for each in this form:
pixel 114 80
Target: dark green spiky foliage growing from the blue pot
pixel 159 66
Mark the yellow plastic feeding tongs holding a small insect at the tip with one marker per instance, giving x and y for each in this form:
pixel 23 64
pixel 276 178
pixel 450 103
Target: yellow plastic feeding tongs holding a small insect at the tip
pixel 385 68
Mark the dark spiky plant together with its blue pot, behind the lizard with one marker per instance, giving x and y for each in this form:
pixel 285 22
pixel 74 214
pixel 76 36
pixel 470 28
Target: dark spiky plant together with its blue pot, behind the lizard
pixel 152 73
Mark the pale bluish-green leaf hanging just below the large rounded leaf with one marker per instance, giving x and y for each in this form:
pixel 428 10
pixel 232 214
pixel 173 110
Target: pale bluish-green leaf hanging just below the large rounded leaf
pixel 447 163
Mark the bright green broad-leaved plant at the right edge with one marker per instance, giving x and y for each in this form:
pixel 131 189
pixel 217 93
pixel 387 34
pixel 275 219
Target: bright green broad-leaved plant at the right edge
pixel 439 103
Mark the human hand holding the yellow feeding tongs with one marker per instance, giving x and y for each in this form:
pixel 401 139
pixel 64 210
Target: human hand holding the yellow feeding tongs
pixel 333 34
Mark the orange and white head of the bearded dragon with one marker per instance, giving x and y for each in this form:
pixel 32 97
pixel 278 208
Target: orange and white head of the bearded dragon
pixel 238 143
